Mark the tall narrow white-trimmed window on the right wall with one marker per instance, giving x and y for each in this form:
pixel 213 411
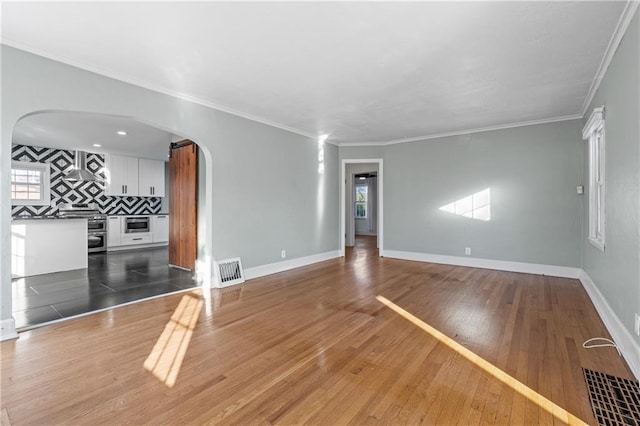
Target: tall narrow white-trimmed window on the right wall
pixel 594 133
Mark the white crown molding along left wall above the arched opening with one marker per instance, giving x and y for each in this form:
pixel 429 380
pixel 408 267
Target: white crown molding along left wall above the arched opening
pixel 158 89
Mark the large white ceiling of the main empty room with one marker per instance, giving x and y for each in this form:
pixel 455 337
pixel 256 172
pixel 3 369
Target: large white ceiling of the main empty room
pixel 358 71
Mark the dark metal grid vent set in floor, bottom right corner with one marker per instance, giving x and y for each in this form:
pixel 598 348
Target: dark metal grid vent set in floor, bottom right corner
pixel 614 401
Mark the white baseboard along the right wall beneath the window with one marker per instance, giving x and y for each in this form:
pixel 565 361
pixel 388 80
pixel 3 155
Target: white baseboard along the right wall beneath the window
pixel 623 338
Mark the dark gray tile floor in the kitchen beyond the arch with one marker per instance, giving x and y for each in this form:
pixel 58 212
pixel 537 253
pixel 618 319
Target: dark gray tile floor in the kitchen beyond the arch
pixel 111 279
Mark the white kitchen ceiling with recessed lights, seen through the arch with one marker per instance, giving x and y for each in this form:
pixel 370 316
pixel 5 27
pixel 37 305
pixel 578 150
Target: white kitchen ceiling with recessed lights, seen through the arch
pixel 69 130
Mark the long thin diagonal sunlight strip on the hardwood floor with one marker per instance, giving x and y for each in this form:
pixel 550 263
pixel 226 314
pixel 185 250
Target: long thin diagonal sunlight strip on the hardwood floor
pixel 524 390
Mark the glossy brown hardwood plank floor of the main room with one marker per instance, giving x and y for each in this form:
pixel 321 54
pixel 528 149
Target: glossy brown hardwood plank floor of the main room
pixel 317 345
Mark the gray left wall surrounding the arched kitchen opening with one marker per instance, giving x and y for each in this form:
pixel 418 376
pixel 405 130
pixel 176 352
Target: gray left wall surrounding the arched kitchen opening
pixel 263 186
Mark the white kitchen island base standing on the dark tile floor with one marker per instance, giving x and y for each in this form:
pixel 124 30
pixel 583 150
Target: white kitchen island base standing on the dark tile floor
pixel 45 245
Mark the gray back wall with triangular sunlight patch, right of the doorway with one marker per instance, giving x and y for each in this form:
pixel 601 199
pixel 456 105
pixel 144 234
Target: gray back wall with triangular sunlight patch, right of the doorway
pixel 532 171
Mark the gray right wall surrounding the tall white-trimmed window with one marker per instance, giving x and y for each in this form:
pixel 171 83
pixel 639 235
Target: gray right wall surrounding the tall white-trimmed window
pixel 616 271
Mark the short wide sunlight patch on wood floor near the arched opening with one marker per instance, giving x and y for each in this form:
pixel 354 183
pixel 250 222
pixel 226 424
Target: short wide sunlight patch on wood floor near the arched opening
pixel 166 357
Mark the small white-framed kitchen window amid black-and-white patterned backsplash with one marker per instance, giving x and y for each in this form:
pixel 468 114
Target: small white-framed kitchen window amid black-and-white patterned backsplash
pixel 30 183
